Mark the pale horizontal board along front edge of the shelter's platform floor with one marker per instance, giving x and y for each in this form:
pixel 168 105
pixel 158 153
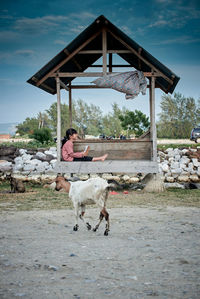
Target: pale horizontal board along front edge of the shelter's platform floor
pixel 128 166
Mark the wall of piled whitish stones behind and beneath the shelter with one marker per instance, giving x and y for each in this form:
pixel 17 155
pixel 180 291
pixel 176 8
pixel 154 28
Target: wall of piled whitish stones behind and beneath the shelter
pixel 178 165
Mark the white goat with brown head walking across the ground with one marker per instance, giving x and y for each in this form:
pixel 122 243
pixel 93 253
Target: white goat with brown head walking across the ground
pixel 82 193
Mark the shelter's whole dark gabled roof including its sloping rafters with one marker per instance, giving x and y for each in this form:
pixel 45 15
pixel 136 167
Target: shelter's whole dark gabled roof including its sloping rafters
pixel 75 58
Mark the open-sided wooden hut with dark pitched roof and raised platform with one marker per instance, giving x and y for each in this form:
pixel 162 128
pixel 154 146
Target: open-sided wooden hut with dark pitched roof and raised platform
pixel 104 39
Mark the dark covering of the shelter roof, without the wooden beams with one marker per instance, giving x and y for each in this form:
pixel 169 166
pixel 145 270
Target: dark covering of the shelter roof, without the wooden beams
pixel 86 60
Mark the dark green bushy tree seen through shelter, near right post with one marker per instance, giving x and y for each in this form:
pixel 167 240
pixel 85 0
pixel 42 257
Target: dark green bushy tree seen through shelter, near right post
pixel 135 121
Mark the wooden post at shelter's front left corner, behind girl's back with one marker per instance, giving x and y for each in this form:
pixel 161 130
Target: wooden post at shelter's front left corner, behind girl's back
pixel 58 120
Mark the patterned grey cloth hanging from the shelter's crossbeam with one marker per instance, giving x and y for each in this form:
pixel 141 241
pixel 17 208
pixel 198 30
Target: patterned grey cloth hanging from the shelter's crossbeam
pixel 130 83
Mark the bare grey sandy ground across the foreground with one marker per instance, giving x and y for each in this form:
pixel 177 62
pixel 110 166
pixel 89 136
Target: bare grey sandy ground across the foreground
pixel 149 252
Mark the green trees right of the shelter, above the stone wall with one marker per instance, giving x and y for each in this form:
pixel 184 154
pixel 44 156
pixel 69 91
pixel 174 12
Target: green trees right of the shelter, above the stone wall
pixel 178 116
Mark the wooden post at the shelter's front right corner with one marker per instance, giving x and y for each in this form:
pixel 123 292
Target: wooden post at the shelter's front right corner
pixel 152 119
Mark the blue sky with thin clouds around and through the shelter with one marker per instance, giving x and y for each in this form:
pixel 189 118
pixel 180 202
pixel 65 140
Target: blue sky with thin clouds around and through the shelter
pixel 33 32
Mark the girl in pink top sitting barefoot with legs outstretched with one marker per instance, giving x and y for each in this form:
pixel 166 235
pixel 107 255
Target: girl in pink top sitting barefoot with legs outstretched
pixel 68 151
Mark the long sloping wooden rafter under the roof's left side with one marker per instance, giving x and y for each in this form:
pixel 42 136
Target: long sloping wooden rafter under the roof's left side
pixel 68 58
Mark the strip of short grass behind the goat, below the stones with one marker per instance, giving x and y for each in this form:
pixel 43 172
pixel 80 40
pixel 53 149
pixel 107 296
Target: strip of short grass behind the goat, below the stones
pixel 37 197
